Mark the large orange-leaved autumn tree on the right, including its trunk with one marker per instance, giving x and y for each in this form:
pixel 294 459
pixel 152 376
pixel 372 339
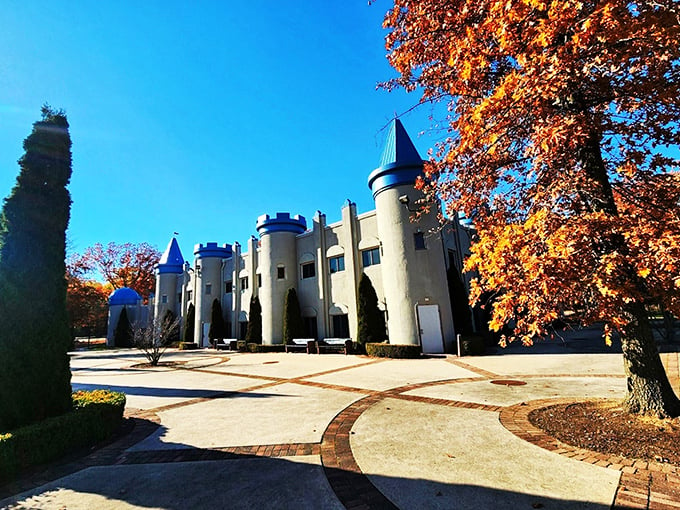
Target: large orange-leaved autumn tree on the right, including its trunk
pixel 560 114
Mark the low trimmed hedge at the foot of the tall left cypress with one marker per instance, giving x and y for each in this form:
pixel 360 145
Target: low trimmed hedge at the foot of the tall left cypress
pixel 96 415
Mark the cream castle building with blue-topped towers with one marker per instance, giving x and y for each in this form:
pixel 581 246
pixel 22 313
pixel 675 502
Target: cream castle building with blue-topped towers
pixel 406 262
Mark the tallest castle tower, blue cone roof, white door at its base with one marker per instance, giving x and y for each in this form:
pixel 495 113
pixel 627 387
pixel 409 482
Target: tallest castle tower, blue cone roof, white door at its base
pixel 412 254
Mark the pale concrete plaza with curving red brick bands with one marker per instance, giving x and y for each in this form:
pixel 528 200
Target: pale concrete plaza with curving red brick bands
pixel 230 430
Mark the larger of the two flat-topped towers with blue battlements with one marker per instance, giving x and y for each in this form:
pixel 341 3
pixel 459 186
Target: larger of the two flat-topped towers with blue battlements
pixel 278 269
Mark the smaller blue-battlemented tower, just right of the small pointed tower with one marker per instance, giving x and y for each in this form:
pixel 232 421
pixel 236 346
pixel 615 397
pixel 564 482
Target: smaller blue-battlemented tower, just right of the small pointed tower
pixel 208 285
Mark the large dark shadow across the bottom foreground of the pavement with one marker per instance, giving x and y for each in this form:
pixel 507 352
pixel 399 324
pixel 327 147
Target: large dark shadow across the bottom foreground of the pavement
pixel 247 482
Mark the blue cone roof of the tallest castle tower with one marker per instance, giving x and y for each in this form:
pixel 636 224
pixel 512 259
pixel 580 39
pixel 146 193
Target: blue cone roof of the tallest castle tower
pixel 400 162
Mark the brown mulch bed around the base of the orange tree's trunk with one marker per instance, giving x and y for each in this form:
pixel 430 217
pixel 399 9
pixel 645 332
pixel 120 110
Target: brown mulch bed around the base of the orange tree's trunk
pixel 603 426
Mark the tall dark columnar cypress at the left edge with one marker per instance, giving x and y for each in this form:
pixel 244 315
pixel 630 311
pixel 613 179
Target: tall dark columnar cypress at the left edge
pixel 35 378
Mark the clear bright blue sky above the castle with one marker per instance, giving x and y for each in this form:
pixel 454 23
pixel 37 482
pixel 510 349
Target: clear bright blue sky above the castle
pixel 197 117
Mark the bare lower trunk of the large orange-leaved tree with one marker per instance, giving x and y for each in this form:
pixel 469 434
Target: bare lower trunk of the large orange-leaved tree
pixel 648 388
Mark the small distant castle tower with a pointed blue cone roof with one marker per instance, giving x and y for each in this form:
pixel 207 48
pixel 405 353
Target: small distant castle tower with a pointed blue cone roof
pixel 169 271
